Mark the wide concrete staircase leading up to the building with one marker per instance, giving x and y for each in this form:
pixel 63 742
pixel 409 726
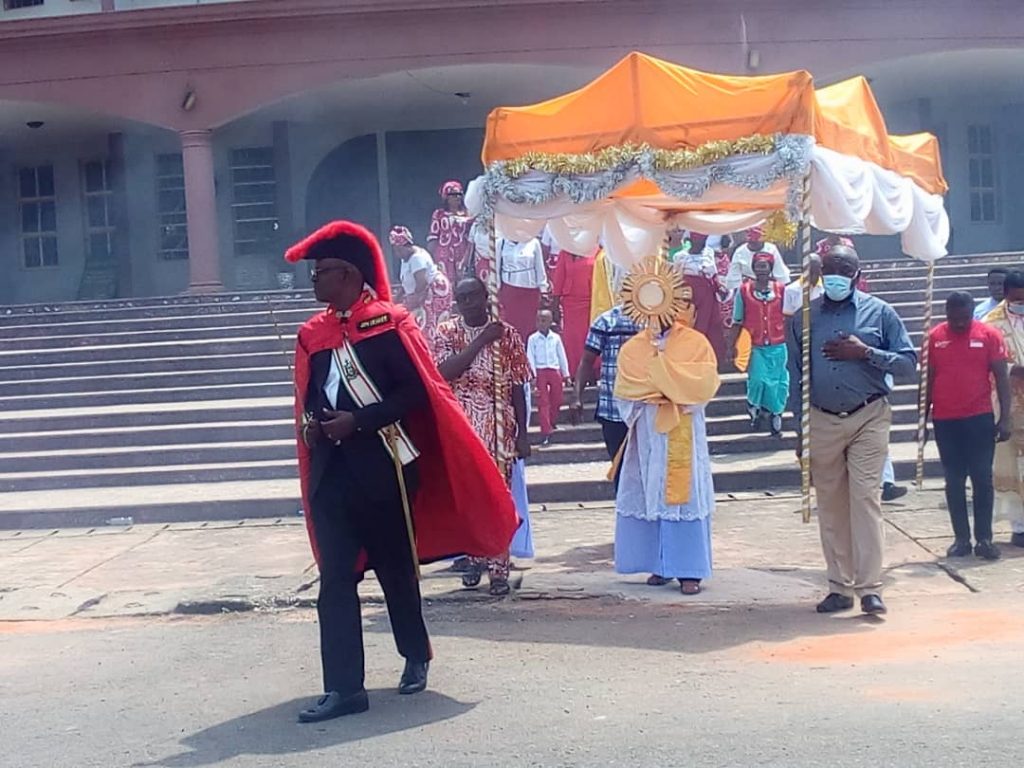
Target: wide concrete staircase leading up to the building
pixel 174 409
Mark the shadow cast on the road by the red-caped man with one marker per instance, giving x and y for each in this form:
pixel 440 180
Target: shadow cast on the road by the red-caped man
pixel 275 731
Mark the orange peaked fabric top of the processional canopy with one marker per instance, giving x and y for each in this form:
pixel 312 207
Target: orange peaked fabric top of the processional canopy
pixel 644 100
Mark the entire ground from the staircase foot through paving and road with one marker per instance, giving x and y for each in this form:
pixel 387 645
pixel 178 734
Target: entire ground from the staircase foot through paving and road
pixel 106 662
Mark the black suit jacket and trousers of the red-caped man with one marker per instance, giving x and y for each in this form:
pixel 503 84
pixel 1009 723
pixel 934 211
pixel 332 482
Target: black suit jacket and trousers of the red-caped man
pixel 357 506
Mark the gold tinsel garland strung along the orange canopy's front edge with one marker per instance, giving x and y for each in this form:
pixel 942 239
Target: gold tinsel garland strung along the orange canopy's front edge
pixel 665 160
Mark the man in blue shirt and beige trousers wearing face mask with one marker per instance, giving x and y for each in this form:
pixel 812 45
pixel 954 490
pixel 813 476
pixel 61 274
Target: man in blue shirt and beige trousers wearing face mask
pixel 858 342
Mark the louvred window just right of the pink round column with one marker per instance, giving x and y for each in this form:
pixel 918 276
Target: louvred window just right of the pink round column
pixel 254 205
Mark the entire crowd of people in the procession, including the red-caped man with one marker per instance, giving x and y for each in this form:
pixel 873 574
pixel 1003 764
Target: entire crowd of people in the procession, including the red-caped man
pixel 564 326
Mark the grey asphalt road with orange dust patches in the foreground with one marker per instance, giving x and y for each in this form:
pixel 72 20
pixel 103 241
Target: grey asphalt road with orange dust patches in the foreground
pixel 589 685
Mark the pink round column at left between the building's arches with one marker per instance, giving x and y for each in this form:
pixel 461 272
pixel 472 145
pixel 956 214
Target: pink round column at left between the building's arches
pixel 201 204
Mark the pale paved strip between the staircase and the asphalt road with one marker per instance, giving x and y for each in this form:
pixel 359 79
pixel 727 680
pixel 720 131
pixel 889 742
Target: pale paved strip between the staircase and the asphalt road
pixel 763 556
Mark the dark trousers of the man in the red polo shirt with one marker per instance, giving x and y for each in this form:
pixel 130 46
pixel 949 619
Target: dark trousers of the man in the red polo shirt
pixel 967 448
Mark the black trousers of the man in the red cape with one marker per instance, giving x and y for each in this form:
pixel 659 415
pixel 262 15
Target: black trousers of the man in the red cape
pixel 347 523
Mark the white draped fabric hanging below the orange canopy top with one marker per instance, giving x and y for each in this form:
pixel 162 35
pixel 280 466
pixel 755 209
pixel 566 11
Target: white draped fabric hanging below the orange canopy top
pixel 848 196
